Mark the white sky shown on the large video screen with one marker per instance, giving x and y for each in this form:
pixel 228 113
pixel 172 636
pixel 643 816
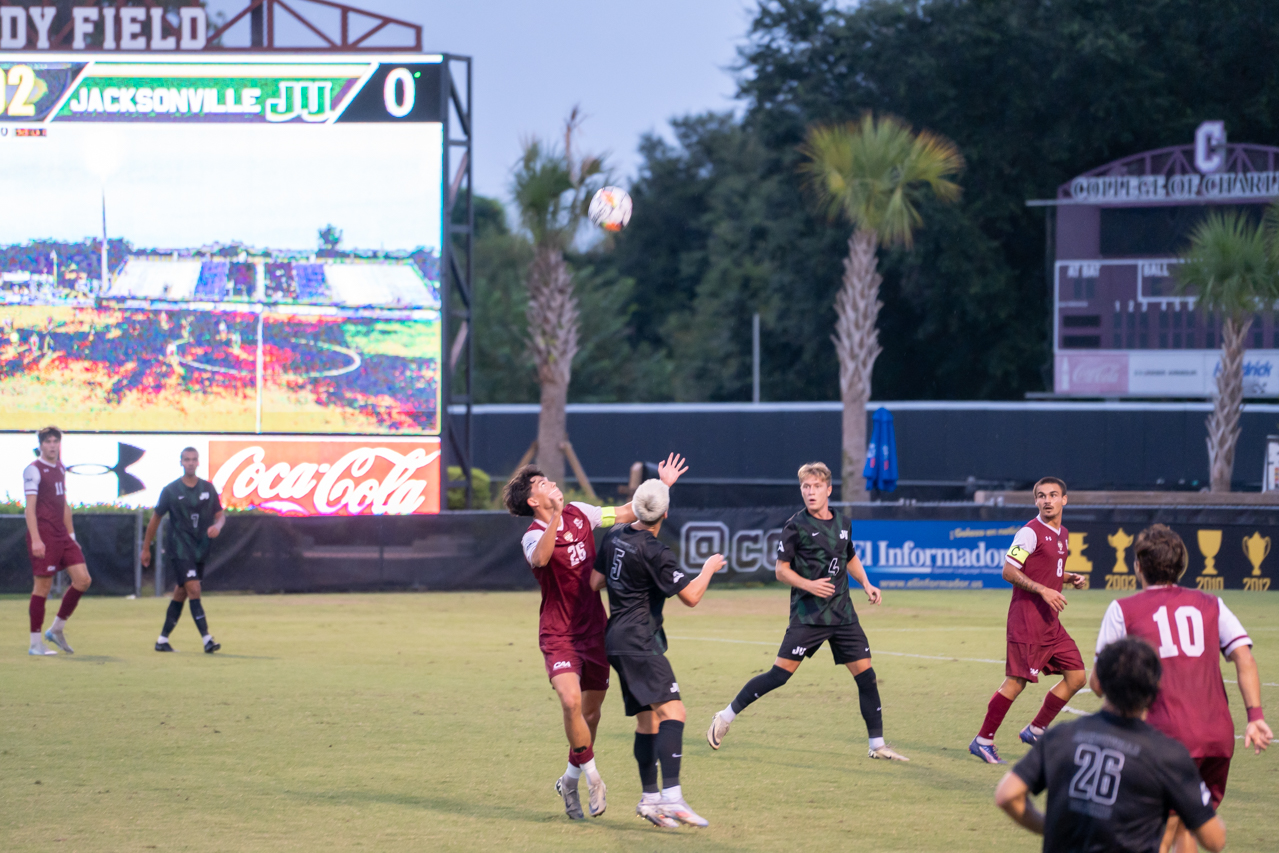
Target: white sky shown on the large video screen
pixel 184 186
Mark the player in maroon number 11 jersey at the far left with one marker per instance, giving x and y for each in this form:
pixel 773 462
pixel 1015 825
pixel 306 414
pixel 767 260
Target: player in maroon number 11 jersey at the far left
pixel 52 542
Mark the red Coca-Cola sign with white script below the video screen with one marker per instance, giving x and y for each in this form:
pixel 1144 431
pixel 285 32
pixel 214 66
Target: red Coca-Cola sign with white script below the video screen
pixel 317 478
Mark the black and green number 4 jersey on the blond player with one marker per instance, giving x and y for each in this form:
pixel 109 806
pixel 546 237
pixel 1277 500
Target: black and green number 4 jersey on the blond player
pixel 819 549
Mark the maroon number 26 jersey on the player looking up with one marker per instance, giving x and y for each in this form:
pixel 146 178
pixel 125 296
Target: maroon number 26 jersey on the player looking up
pixel 571 611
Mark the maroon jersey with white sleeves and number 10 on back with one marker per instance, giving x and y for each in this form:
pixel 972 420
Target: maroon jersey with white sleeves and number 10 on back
pixel 1188 627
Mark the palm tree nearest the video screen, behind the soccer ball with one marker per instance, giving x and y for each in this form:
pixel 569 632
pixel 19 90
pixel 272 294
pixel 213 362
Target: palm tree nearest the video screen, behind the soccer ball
pixel 553 189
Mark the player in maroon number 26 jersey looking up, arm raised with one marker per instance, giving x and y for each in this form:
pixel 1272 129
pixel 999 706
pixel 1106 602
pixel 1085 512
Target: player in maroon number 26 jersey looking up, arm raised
pixel 560 547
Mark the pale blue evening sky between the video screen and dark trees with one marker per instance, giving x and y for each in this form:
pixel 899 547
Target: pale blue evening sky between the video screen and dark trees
pixel 631 67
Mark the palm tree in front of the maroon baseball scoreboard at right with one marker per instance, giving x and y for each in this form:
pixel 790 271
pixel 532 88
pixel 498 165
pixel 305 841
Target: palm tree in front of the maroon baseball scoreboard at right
pixel 1232 267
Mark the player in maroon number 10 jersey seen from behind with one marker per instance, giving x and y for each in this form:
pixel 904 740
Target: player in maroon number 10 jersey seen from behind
pixel 1185 626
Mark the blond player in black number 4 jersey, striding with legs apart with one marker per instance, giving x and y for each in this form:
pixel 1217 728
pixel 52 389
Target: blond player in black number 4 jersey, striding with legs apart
pixel 817 558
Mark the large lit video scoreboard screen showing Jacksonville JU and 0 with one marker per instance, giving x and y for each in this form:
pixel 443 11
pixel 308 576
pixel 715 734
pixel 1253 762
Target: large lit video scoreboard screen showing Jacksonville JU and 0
pixel 222 245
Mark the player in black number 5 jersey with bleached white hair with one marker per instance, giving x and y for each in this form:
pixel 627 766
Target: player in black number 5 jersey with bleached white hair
pixel 641 574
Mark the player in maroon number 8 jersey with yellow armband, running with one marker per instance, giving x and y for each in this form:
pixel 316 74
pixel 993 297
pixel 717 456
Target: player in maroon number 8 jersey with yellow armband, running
pixel 1038 644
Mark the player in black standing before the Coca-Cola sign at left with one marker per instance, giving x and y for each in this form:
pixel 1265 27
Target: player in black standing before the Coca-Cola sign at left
pixel 196 519
